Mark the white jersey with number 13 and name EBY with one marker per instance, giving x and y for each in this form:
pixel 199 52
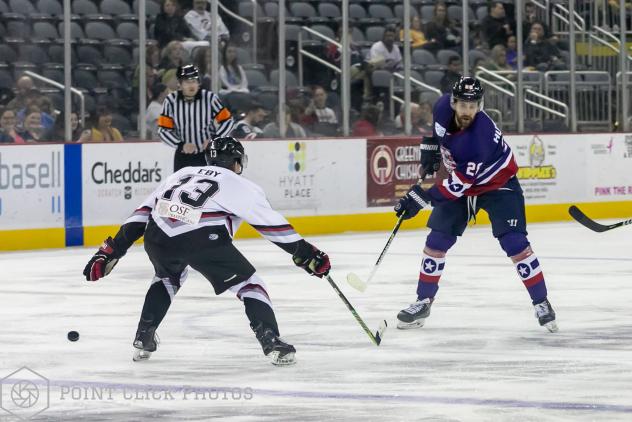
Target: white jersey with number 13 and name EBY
pixel 196 197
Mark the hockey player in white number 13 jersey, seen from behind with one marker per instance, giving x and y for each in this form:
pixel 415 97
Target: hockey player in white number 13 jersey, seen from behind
pixel 190 220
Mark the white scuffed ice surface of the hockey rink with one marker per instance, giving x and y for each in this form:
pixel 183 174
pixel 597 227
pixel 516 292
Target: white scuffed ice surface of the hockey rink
pixel 481 356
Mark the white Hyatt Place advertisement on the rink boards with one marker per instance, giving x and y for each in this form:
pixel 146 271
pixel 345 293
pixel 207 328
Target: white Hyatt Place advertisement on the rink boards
pixel 310 177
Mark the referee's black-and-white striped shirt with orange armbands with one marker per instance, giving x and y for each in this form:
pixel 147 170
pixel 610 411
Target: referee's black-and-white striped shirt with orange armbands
pixel 195 121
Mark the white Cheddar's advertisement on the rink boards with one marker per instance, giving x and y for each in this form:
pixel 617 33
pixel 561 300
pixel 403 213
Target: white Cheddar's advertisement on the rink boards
pixel 116 178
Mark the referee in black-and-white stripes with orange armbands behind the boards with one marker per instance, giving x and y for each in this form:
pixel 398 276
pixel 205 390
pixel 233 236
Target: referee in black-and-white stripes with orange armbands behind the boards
pixel 191 117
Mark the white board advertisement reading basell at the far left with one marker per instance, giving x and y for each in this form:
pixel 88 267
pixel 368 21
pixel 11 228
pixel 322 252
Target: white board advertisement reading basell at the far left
pixel 31 187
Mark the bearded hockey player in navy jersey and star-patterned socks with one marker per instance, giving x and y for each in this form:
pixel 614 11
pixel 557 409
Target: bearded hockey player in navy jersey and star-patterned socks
pixel 481 174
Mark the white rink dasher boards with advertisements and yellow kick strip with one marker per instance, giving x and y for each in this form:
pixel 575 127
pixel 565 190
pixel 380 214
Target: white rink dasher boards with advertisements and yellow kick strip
pixel 57 195
